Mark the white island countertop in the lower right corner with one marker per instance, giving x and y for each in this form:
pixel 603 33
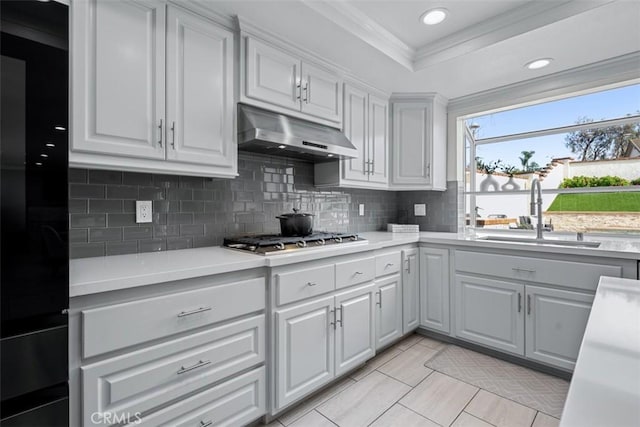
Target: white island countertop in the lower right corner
pixel 605 389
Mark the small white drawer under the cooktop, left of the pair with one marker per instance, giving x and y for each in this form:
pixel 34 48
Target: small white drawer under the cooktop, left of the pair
pixel 302 284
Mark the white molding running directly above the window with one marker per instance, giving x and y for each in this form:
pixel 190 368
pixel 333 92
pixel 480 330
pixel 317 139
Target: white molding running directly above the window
pixel 611 72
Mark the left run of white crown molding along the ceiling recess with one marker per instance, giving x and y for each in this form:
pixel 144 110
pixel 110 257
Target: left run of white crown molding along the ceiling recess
pixel 362 26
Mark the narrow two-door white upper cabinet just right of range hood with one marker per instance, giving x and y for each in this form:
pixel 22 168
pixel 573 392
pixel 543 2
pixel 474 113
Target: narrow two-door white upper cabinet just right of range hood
pixel 366 119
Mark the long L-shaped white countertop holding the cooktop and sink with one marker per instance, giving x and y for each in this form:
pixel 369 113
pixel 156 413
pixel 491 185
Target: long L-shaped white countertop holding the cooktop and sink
pixel 102 274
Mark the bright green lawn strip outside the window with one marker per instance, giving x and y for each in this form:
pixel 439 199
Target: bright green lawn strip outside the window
pixel 597 202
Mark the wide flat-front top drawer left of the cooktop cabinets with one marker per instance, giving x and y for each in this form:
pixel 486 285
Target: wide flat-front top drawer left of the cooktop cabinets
pixel 118 326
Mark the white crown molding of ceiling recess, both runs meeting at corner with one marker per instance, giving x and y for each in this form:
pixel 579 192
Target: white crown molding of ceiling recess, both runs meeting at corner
pixel 510 24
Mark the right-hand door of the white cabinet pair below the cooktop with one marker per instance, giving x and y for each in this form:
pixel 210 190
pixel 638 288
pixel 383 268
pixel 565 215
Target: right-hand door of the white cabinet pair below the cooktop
pixel 355 327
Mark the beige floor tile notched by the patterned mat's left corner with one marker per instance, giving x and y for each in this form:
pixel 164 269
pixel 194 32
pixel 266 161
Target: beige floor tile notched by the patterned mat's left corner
pixel 408 367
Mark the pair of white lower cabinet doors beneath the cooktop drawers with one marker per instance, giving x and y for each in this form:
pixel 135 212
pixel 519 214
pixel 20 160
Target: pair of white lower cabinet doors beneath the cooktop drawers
pixel 321 339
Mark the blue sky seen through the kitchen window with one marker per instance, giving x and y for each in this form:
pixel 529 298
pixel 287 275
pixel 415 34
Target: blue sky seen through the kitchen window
pixel 609 104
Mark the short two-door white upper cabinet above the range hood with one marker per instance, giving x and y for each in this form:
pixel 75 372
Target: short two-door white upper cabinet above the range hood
pixel 279 80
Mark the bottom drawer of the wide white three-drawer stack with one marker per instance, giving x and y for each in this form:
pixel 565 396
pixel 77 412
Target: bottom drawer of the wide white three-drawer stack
pixel 236 402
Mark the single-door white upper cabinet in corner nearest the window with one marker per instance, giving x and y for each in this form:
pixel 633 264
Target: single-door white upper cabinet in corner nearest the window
pixel 418 159
